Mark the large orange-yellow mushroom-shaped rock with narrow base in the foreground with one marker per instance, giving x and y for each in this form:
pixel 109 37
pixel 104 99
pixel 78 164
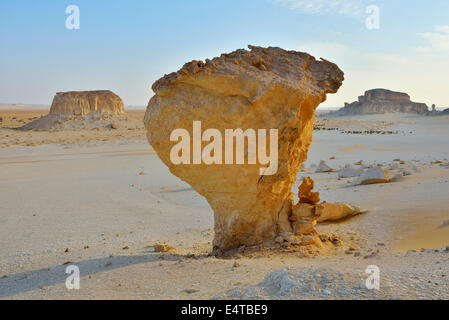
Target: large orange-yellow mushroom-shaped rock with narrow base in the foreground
pixel 264 88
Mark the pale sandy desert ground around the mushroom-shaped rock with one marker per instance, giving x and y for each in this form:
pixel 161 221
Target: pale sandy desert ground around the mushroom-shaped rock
pixel 107 198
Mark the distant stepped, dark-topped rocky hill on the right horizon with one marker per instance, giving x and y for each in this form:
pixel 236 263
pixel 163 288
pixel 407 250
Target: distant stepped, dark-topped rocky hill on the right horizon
pixel 382 101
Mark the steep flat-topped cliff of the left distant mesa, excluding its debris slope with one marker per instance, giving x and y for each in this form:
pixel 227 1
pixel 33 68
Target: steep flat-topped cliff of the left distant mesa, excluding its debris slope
pixel 80 103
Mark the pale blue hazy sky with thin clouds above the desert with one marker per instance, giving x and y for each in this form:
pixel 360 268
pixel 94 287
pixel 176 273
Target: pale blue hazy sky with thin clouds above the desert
pixel 125 46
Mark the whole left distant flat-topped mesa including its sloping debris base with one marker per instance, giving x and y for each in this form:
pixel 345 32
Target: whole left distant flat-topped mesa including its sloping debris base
pixel 79 110
